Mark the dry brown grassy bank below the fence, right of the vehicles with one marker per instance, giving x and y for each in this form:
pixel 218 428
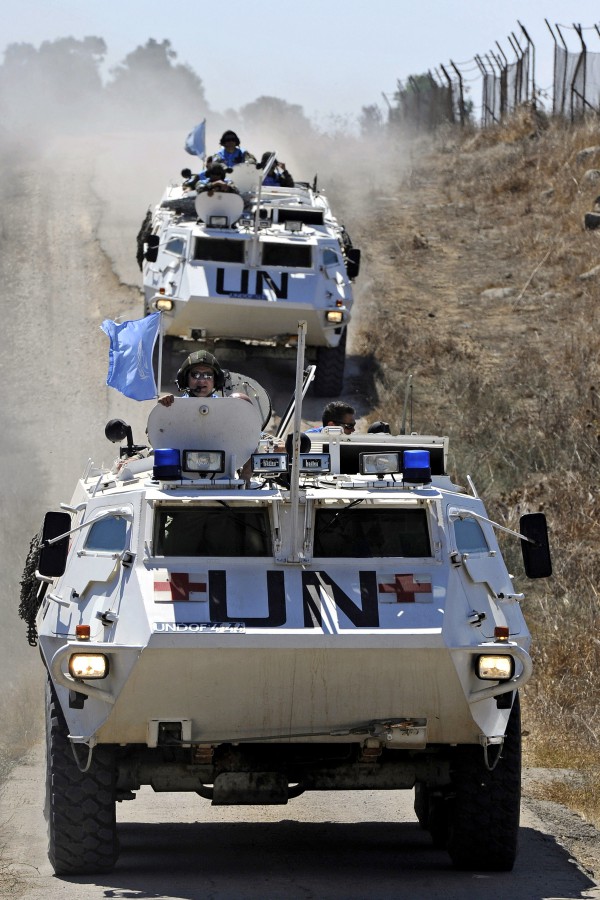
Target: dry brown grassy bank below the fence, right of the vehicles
pixel 514 379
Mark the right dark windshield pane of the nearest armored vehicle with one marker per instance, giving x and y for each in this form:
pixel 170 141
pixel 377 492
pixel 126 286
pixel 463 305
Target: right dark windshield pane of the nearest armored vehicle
pixel 367 533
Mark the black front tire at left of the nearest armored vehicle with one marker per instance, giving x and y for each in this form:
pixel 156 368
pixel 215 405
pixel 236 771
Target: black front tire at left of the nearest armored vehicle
pixel 80 806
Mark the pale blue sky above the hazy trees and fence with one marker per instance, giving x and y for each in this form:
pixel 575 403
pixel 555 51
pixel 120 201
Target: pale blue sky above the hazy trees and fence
pixel 332 57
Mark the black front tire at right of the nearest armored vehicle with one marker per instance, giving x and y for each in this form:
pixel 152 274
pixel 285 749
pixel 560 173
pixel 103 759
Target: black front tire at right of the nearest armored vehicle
pixel 484 807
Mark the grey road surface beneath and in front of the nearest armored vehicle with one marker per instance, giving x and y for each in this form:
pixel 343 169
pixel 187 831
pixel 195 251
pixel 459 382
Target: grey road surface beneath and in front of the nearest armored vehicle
pixel 329 845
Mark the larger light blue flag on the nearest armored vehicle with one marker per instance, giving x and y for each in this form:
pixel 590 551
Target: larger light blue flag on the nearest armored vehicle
pixel 130 356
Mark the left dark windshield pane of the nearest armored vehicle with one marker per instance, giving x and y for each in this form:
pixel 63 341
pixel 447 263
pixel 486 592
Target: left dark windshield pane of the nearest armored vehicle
pixel 212 531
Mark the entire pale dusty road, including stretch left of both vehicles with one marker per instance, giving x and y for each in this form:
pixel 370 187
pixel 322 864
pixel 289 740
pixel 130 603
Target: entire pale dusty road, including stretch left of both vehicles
pixel 59 215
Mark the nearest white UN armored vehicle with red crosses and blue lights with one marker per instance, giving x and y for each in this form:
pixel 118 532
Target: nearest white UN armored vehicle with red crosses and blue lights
pixel 340 619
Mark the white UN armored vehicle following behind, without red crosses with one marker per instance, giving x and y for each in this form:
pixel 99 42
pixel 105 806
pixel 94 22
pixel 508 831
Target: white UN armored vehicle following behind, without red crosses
pixel 239 270
